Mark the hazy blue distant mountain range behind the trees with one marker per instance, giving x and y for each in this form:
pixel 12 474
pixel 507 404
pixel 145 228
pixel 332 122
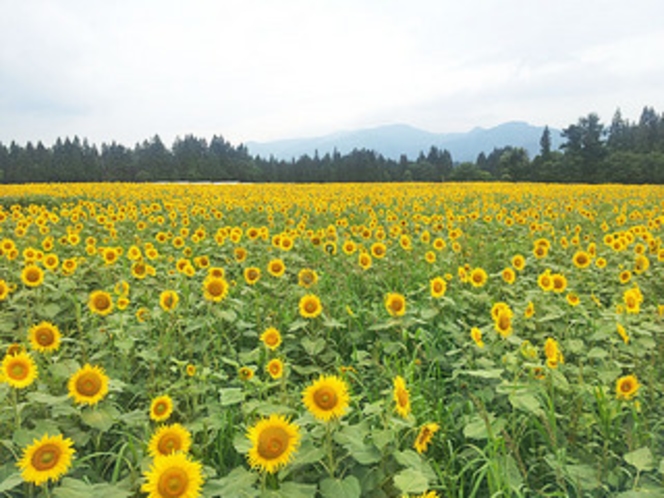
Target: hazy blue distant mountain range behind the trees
pixel 394 140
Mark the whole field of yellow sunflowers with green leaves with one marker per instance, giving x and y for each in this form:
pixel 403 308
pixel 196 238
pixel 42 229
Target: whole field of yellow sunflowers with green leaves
pixel 348 340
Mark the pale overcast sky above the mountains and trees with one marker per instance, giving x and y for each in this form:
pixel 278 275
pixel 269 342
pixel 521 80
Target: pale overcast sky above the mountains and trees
pixel 262 70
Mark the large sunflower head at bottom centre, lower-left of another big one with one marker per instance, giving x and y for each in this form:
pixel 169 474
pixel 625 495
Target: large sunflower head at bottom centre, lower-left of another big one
pixel 274 440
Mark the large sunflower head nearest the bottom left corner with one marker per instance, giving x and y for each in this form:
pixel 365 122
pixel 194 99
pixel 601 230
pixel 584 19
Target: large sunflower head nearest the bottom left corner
pixel 48 458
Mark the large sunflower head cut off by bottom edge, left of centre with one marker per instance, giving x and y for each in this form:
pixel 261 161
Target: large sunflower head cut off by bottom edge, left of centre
pixel 173 476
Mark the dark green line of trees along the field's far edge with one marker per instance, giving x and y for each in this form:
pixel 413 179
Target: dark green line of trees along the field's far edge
pixel 621 152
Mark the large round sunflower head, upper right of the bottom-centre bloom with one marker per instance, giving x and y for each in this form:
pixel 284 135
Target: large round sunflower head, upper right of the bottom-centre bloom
pixel 327 397
